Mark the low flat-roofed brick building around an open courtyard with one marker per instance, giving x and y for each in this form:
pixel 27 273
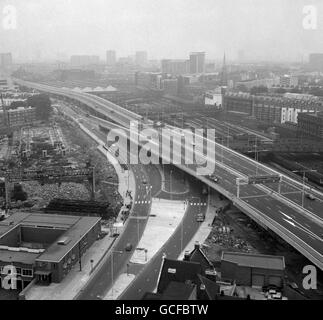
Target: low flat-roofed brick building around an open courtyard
pixel 44 246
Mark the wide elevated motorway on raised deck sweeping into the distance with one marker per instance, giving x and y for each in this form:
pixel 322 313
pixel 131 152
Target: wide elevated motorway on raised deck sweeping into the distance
pixel 277 208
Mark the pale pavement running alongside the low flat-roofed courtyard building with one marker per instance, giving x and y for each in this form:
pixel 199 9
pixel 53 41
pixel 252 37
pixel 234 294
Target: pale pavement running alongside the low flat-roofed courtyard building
pixel 75 280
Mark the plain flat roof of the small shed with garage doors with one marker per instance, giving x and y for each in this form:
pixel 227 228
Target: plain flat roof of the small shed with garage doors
pixel 255 260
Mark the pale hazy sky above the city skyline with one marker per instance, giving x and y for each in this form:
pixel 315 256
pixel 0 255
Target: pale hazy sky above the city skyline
pixel 263 29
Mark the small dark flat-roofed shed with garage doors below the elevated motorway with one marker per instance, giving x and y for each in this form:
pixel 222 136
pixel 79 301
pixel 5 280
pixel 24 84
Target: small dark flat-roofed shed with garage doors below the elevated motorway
pixel 253 270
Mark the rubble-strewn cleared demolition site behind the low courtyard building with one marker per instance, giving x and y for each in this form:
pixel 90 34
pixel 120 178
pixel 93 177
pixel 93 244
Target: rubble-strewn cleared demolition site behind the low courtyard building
pixel 52 166
